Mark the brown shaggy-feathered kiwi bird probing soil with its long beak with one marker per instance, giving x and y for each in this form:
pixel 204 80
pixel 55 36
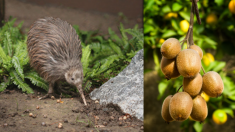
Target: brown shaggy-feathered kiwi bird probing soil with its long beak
pixel 55 52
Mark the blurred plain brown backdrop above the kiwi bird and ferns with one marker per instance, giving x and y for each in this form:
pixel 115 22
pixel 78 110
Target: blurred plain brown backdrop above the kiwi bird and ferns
pixel 88 15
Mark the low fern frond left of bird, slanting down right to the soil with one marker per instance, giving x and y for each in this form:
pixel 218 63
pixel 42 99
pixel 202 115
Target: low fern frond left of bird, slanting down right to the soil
pixel 20 83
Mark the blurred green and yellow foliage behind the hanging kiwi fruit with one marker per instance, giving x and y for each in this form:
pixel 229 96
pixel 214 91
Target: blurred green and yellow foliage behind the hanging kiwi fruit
pixel 164 19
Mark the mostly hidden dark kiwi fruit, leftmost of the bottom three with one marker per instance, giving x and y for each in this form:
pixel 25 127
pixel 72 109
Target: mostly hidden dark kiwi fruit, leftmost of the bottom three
pixel 165 110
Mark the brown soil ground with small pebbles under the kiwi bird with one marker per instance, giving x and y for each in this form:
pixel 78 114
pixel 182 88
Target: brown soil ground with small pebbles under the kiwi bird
pixel 16 106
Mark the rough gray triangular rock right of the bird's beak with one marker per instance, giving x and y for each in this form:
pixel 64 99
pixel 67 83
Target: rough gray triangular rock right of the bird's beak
pixel 126 89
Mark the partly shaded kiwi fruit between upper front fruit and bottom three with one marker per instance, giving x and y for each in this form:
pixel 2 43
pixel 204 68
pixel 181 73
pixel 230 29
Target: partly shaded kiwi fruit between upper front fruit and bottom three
pixel 193 85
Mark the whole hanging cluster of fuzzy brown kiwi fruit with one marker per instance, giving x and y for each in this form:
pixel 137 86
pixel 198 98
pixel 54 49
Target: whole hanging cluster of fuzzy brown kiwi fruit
pixel 187 63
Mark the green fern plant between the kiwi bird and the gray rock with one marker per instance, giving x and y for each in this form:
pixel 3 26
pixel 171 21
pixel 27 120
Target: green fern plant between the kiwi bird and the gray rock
pixel 105 58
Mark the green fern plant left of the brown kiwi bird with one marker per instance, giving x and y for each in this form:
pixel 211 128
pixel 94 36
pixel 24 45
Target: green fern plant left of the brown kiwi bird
pixel 14 61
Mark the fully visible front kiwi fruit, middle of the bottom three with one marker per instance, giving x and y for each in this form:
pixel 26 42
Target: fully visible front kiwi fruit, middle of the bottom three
pixel 181 105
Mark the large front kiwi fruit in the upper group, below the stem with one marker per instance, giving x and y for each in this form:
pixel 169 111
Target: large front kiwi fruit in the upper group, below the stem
pixel 188 63
